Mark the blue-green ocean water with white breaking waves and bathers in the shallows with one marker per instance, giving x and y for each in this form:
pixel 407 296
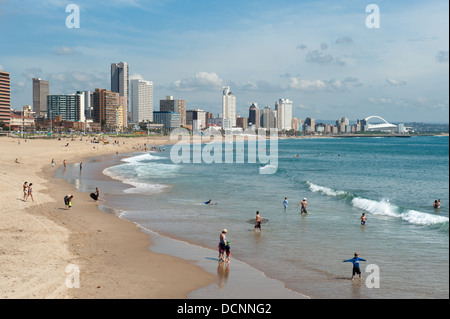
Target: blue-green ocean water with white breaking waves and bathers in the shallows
pixel 394 180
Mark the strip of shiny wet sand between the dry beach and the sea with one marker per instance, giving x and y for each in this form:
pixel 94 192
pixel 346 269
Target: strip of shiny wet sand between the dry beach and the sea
pixel 224 286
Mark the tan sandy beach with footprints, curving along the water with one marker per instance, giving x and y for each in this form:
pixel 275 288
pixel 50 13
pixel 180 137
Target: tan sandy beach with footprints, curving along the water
pixel 44 245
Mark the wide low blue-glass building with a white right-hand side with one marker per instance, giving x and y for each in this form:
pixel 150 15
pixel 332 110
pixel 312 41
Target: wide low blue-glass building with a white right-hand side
pixel 69 106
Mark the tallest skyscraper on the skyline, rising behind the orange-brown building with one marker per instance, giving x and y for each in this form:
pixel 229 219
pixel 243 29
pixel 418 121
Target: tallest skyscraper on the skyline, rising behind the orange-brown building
pixel 120 75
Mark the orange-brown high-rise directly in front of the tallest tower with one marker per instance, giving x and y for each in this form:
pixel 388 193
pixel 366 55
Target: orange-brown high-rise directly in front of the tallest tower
pixel 105 104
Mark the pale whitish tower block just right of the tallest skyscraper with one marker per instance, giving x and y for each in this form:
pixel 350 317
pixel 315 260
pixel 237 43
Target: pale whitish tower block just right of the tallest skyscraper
pixel 141 100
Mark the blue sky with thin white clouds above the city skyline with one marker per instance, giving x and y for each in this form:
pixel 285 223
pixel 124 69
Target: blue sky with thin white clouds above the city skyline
pixel 319 54
